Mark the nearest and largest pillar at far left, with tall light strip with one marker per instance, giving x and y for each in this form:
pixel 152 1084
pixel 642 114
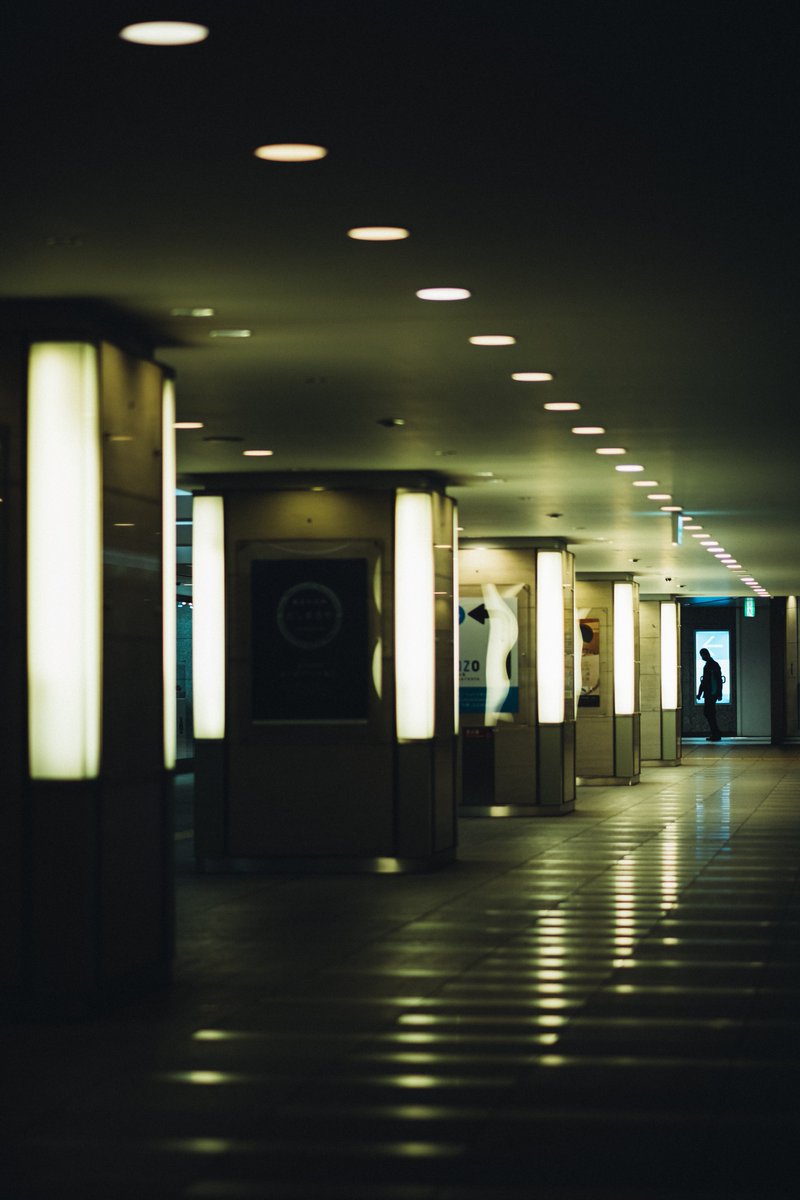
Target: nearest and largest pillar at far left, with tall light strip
pixel 92 903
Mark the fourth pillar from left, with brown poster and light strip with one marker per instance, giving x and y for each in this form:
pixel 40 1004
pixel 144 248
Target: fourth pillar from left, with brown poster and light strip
pixel 609 709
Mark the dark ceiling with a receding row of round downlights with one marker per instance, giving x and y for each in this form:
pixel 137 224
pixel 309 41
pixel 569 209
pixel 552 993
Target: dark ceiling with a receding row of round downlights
pixel 615 184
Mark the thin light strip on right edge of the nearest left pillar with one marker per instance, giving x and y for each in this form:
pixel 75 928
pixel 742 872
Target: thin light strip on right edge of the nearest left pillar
pixel 170 572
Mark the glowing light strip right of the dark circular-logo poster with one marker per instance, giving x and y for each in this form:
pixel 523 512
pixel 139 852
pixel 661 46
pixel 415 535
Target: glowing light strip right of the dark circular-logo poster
pixel 414 616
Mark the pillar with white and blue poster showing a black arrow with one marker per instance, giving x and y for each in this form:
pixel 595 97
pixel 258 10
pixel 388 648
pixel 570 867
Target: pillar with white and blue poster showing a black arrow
pixel 518 676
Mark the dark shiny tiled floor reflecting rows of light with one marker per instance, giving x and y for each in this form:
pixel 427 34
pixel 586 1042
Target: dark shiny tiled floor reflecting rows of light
pixel 600 1007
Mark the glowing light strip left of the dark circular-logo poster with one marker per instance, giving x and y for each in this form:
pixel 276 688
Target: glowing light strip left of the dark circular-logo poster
pixel 209 617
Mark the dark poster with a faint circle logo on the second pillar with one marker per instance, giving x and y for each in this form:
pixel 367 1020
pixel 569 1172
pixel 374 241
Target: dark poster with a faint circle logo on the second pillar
pixel 311 649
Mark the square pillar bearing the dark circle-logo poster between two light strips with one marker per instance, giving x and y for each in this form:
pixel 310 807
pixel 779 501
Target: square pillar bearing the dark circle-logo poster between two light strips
pixel 328 664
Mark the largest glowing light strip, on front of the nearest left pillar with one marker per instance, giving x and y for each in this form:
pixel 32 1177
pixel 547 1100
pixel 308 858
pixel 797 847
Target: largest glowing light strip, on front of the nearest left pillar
pixel 65 609
